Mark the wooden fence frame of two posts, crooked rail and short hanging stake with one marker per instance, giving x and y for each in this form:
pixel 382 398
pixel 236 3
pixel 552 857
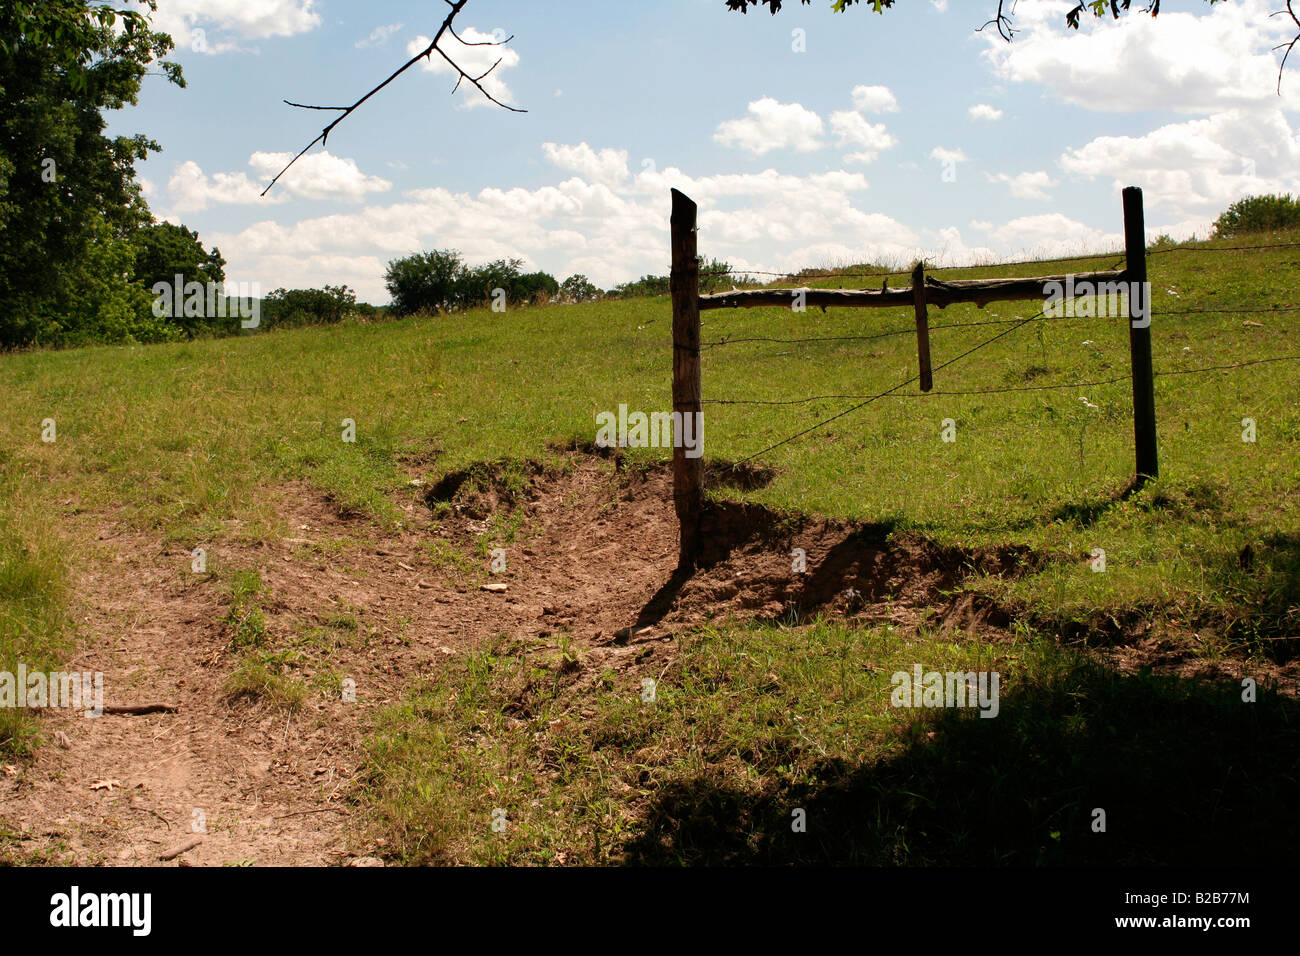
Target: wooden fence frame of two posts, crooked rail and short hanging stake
pixel 925 292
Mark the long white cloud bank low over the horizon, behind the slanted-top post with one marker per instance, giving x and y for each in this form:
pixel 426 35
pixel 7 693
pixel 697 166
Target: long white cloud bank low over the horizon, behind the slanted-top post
pixel 610 224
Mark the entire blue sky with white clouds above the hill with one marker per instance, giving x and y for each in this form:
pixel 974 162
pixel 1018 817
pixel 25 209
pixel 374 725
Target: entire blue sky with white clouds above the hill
pixel 808 140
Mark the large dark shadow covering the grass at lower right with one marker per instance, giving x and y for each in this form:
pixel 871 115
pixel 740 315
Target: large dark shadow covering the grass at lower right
pixel 1186 773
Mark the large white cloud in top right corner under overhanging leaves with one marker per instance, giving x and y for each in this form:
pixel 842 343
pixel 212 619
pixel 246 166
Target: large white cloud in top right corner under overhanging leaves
pixel 1186 62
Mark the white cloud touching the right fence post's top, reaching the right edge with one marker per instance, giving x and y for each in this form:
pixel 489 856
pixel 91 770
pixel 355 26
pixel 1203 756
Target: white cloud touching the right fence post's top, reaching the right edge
pixel 1195 170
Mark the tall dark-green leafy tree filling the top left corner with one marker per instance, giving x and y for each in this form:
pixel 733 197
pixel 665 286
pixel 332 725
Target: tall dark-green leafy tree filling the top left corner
pixel 68 193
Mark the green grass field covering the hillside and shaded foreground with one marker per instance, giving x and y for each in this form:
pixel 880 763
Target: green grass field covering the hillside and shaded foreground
pixel 184 440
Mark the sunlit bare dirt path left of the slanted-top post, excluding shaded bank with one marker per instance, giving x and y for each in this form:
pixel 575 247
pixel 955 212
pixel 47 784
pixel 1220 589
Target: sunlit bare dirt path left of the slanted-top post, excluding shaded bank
pixel 257 784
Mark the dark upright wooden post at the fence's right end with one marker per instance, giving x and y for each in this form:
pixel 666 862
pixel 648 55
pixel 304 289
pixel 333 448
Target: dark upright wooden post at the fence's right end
pixel 1139 338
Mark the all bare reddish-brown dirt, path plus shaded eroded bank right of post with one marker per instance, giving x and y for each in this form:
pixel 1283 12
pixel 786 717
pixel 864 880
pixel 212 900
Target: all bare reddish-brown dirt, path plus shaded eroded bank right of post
pixel 593 561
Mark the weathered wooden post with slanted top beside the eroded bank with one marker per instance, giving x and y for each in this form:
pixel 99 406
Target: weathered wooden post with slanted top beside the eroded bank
pixel 688 474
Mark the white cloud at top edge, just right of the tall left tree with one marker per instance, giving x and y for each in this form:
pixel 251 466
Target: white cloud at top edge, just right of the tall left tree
pixel 207 27
